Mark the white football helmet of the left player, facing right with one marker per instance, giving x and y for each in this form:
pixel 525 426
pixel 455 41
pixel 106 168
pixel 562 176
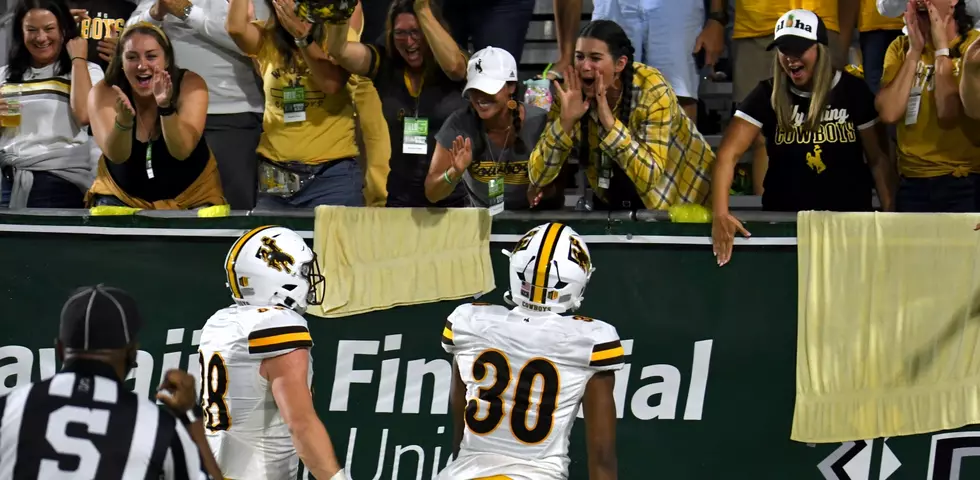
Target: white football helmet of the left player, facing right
pixel 272 265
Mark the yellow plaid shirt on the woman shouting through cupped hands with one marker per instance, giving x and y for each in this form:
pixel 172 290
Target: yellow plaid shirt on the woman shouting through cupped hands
pixel 660 150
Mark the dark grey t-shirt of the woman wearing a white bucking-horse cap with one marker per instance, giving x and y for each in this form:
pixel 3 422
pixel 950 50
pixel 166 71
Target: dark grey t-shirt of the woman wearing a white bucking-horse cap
pixel 489 162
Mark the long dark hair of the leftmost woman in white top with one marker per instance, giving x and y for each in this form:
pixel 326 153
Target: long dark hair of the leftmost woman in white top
pixel 18 57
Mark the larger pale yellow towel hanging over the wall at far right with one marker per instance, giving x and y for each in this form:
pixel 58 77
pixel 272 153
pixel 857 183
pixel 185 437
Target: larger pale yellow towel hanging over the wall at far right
pixel 889 325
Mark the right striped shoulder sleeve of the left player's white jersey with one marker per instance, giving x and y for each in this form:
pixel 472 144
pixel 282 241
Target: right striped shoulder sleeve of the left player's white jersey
pixel 278 332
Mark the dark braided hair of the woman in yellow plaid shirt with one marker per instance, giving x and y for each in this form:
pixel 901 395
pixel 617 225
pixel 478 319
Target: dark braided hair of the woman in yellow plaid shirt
pixel 619 45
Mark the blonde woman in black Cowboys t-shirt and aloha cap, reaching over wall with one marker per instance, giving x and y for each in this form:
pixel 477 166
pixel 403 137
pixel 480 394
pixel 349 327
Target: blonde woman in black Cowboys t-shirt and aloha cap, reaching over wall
pixel 820 124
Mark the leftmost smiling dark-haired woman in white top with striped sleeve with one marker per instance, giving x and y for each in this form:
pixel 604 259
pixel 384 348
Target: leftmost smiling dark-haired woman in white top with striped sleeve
pixel 44 148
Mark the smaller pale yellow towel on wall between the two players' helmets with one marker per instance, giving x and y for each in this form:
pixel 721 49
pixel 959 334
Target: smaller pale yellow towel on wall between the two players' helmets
pixel 378 258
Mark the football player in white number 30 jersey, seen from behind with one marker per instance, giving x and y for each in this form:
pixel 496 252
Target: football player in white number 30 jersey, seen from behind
pixel 521 374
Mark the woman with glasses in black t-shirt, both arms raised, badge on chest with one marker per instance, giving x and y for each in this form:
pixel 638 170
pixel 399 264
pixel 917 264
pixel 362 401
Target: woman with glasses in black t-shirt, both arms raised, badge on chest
pixel 419 73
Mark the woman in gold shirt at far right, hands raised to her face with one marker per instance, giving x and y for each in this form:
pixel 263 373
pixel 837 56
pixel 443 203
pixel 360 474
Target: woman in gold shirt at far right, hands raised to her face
pixel 938 153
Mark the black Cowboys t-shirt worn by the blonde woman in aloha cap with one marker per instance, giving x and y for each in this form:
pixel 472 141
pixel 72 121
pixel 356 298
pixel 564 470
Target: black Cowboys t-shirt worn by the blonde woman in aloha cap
pixel 816 170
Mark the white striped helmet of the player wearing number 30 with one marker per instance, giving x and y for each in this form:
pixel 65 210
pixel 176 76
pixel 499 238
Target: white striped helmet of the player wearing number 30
pixel 549 269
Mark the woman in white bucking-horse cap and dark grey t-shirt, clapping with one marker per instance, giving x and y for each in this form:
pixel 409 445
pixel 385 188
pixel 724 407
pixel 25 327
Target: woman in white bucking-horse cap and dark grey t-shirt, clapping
pixel 487 144
